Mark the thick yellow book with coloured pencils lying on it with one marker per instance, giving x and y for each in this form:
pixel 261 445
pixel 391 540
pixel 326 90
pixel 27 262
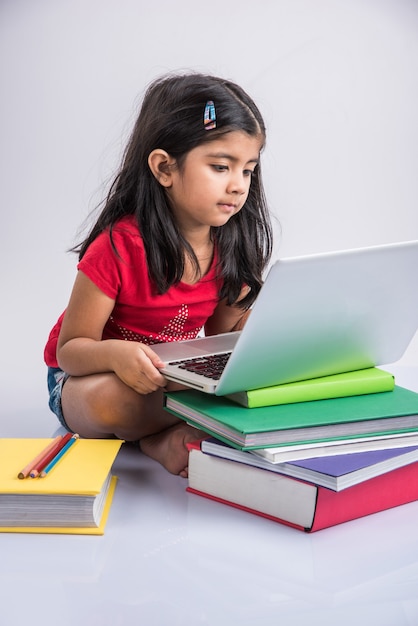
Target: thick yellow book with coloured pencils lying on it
pixel 73 498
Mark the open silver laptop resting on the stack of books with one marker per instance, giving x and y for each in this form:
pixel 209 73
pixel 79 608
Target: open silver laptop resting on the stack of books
pixel 314 316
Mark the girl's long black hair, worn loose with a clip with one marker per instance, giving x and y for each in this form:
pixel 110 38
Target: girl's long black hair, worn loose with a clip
pixel 171 118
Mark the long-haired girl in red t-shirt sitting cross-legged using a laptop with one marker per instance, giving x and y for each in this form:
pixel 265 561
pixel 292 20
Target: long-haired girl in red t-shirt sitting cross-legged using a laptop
pixel 181 244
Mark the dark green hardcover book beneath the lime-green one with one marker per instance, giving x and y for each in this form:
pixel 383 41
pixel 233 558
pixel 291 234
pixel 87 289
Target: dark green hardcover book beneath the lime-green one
pixel 386 413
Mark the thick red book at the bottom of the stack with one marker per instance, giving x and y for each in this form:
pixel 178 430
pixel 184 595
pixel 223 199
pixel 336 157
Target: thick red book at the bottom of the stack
pixel 293 502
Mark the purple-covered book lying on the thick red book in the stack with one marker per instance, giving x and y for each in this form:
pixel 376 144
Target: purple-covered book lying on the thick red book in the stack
pixel 334 472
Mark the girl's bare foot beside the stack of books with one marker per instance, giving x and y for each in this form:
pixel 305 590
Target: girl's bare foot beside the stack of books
pixel 169 448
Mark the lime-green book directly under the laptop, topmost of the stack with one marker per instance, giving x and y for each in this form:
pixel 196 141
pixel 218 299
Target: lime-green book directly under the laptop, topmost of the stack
pixel 369 380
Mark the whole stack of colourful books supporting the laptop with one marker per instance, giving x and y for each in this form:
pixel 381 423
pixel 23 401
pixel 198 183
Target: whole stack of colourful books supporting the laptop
pixel 311 454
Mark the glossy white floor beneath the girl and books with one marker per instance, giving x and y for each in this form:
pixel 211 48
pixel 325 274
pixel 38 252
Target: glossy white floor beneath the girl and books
pixel 168 557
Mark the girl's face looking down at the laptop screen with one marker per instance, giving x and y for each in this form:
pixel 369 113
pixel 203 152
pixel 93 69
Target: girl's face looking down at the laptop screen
pixel 213 183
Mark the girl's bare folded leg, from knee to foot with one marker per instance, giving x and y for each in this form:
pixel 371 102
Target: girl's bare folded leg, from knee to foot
pixel 102 406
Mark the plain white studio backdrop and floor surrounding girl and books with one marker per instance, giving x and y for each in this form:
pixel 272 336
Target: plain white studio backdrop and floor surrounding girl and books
pixel 337 81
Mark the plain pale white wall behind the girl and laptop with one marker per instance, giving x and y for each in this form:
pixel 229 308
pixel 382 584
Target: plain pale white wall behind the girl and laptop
pixel 337 82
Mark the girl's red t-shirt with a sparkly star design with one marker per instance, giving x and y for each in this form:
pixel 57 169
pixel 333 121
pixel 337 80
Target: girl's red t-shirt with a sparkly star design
pixel 140 313
